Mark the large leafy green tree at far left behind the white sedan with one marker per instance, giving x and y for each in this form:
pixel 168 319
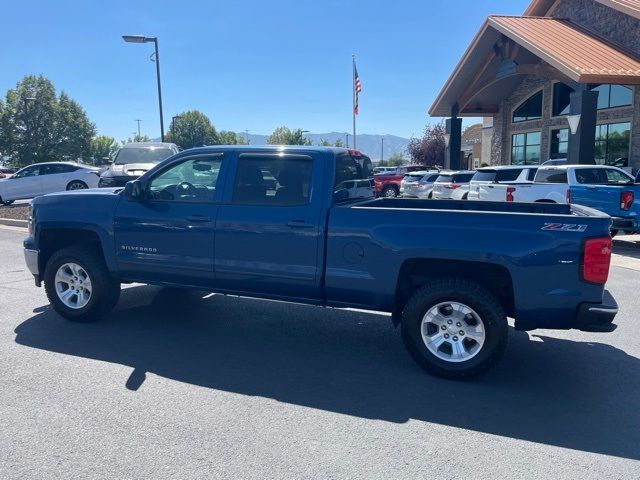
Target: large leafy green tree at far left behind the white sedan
pixel 37 125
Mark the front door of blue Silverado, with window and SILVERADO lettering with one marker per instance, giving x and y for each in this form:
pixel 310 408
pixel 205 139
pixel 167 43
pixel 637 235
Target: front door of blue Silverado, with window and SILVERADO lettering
pixel 169 236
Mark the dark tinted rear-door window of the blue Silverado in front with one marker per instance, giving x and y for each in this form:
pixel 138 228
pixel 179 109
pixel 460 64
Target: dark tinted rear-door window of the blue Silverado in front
pixel 272 180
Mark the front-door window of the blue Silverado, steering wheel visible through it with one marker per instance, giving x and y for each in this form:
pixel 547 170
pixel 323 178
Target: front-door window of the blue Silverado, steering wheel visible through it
pixel 193 180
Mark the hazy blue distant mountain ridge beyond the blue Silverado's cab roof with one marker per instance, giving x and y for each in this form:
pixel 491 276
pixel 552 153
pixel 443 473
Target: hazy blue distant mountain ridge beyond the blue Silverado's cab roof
pixel 370 145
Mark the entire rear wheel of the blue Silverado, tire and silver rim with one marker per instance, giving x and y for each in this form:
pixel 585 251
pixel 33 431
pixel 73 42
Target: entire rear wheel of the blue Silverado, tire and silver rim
pixel 454 328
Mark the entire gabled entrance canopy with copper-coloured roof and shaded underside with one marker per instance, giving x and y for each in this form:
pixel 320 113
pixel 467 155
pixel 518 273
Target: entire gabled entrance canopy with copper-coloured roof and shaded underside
pixel 508 48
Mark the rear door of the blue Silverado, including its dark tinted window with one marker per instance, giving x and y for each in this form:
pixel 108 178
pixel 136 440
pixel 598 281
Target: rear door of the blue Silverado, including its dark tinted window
pixel 268 236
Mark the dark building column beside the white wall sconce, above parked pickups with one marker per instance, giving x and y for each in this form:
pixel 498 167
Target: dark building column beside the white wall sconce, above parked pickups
pixel 582 144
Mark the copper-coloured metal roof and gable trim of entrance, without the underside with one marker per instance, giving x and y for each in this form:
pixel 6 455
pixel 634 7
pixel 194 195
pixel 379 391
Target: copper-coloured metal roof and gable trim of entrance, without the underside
pixel 577 54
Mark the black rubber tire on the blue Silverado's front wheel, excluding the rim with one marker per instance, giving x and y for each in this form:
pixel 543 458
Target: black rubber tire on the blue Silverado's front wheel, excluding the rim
pixel 105 289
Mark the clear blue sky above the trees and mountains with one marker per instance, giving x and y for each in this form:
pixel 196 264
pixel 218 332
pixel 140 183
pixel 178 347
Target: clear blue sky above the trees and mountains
pixel 247 64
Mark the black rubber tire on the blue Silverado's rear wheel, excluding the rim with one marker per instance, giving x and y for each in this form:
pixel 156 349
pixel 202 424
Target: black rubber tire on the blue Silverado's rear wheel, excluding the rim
pixel 470 294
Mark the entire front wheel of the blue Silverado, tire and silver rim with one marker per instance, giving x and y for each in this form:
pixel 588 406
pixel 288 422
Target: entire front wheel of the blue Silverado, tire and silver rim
pixel 78 284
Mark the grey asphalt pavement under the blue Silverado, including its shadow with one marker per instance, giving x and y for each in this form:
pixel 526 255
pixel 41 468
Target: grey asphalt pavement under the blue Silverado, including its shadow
pixel 207 386
